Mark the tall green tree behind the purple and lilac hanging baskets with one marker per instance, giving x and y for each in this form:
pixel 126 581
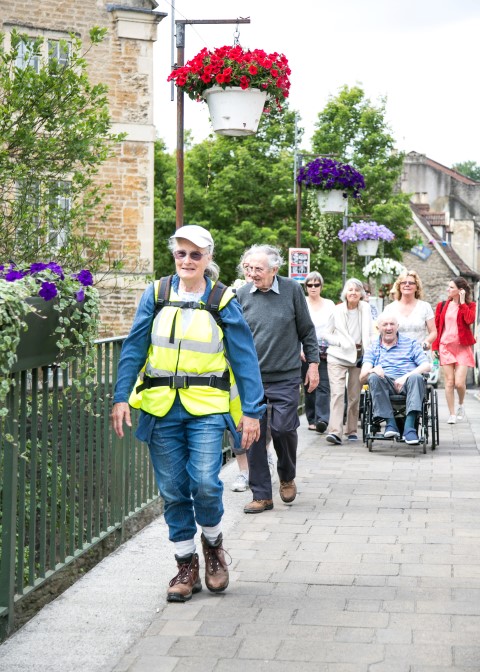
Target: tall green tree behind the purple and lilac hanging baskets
pixel 354 130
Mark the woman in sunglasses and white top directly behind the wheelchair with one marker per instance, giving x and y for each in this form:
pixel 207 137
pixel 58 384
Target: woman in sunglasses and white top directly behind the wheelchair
pixel 414 315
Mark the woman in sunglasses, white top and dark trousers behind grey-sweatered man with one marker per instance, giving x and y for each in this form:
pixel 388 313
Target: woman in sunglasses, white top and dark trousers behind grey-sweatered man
pixel 317 403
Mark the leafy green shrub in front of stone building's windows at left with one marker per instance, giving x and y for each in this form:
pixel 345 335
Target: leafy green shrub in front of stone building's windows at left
pixel 54 135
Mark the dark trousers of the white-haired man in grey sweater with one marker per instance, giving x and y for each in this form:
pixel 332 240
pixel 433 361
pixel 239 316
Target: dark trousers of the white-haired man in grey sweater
pixel 283 399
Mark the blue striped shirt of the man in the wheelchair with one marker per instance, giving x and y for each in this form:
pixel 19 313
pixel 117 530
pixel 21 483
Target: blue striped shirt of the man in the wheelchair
pixel 397 360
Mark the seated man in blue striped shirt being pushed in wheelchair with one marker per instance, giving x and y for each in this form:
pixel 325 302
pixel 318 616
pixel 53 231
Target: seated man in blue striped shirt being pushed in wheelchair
pixel 394 365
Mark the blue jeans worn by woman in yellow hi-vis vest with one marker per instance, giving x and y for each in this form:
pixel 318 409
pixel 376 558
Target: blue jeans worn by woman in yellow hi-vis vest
pixel 186 452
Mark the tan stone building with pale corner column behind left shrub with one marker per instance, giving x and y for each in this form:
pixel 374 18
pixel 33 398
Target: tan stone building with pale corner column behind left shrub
pixel 124 61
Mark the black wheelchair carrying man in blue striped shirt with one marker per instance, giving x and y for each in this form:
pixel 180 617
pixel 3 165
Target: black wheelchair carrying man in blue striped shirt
pixel 427 422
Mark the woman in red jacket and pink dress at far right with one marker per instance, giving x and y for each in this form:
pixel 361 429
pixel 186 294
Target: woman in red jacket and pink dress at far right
pixel 454 319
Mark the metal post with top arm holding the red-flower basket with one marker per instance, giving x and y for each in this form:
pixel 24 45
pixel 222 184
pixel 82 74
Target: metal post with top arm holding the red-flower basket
pixel 180 44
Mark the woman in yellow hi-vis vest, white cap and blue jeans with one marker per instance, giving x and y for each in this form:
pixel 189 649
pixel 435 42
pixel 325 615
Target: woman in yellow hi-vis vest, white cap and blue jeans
pixel 189 363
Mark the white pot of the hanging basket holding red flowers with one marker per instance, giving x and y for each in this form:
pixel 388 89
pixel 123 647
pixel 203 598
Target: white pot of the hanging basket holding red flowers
pixel 235 111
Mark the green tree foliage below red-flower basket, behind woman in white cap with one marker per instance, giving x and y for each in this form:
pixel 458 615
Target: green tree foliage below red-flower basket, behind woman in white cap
pixel 241 189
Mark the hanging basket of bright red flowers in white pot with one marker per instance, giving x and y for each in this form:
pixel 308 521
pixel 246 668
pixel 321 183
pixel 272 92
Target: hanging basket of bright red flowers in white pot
pixel 236 83
